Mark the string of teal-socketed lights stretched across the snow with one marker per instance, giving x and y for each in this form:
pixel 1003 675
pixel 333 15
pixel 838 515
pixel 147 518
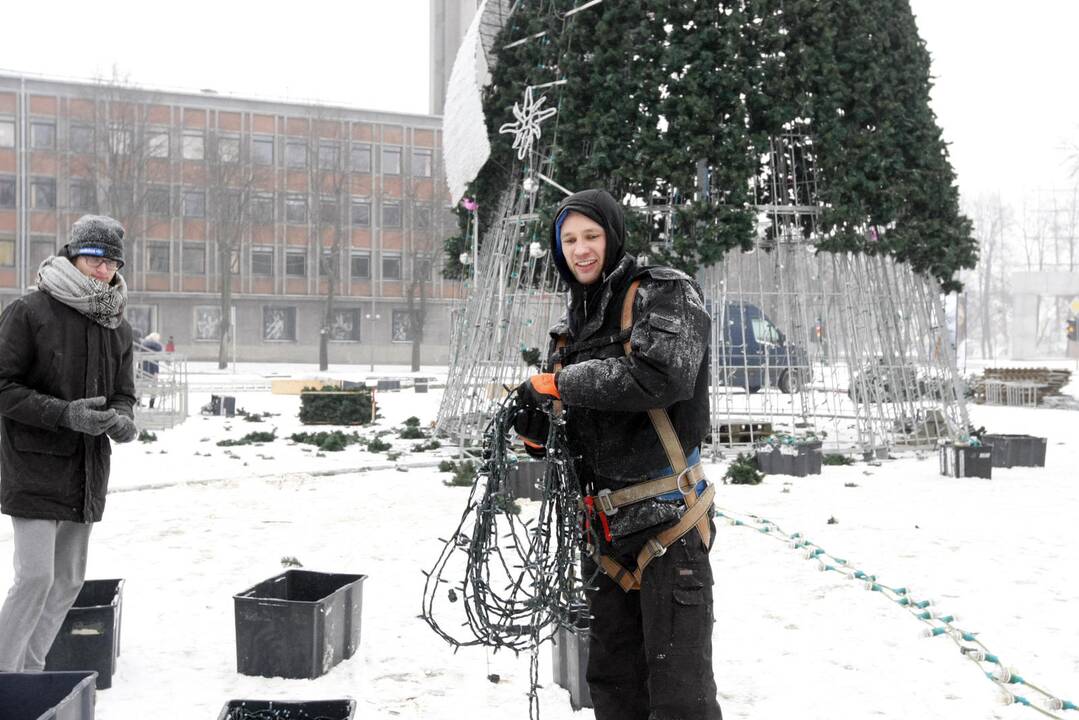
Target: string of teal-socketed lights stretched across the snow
pixel 939 624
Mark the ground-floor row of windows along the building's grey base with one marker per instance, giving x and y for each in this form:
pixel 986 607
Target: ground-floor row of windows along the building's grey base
pixel 279 323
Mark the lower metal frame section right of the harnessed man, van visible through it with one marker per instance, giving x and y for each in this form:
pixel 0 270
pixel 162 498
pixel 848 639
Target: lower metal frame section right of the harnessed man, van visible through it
pixel 848 349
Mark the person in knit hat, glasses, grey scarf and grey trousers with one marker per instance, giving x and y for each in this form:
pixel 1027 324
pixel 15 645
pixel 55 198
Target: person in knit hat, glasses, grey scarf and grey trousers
pixel 67 389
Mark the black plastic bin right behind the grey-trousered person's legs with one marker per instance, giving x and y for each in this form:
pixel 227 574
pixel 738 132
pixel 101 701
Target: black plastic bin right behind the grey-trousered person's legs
pixel 90 637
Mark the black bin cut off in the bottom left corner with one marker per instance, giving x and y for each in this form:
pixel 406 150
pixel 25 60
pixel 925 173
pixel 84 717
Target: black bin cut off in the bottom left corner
pixel 47 696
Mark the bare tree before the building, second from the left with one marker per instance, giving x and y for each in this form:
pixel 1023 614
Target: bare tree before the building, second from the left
pixel 231 179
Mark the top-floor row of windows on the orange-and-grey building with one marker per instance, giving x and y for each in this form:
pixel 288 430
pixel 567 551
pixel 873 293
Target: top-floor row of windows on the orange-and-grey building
pixel 194 147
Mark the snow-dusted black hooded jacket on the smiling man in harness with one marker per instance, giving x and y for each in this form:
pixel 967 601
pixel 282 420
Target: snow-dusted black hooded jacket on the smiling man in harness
pixel 607 395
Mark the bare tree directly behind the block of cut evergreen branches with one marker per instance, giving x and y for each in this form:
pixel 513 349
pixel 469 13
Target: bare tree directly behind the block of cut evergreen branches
pixel 330 185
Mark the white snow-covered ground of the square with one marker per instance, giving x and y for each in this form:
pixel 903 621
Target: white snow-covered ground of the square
pixel 190 524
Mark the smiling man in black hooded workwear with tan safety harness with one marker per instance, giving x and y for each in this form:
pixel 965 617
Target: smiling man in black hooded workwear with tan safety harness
pixel 621 383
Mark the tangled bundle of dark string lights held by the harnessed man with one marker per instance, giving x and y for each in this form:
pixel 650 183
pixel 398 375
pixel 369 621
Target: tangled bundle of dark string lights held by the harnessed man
pixel 521 577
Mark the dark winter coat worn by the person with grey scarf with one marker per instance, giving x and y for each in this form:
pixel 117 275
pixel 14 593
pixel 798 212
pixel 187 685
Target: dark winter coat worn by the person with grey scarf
pixel 51 355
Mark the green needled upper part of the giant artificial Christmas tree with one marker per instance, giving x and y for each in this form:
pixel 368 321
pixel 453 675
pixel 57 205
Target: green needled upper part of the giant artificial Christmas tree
pixel 675 105
